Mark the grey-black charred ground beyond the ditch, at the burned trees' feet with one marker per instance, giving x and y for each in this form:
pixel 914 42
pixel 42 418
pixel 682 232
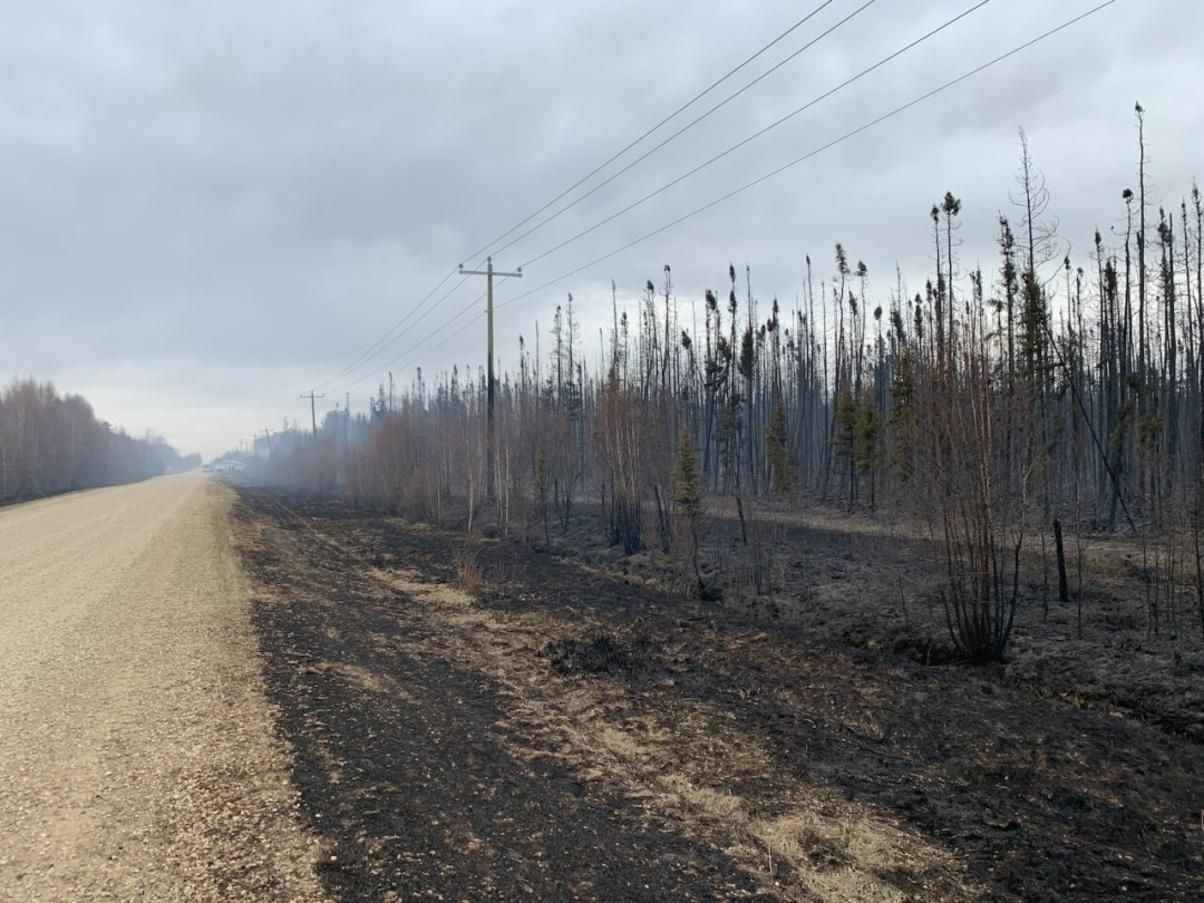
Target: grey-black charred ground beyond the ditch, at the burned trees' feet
pixel 875 582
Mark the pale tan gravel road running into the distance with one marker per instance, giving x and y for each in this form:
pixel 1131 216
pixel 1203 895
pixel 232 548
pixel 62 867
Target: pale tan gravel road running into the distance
pixel 138 757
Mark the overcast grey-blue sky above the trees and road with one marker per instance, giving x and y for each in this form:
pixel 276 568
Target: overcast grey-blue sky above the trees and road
pixel 210 208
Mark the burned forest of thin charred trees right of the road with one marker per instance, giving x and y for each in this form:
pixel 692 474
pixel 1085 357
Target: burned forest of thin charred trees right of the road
pixel 1017 420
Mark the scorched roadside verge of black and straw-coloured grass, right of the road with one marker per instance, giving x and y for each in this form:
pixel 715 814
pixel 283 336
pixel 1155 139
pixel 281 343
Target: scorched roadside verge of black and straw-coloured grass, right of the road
pixel 421 780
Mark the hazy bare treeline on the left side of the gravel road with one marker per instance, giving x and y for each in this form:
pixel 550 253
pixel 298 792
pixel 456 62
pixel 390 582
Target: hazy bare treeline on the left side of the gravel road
pixel 52 444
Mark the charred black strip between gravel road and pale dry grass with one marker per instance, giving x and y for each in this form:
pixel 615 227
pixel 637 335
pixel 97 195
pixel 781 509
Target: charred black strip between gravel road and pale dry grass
pixel 402 772
